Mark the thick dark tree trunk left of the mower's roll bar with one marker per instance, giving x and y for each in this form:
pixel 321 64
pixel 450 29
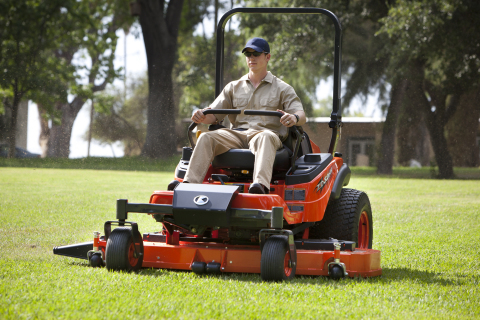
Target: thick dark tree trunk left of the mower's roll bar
pixel 160 31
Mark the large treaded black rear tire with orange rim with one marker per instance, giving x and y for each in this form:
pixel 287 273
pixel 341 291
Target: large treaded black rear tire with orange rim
pixel 347 218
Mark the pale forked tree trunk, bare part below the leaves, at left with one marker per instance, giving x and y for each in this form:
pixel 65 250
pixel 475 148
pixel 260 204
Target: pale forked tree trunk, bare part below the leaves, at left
pixel 60 134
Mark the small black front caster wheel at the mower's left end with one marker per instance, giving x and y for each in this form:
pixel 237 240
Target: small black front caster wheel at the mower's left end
pixel 120 251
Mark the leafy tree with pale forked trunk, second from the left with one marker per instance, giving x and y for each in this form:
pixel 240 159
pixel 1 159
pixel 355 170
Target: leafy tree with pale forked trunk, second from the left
pixel 91 51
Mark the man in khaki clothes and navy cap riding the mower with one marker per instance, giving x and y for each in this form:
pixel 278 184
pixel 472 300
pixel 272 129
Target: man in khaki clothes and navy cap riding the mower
pixel 257 90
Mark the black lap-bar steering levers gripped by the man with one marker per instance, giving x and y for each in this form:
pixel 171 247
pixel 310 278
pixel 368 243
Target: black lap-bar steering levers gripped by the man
pixel 297 133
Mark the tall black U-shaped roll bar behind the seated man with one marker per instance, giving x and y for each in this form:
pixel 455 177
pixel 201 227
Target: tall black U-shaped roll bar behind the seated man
pixel 336 115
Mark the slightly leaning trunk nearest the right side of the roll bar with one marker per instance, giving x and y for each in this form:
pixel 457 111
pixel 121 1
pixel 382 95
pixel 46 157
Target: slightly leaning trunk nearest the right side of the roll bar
pixel 387 145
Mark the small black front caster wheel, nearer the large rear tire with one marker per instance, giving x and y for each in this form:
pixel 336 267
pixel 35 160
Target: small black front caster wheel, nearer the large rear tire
pixel 274 264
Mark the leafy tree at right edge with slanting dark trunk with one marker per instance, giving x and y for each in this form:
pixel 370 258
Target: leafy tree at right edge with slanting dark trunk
pixel 439 42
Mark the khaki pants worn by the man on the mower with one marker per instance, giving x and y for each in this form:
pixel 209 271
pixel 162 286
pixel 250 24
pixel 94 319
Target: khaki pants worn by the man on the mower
pixel 263 144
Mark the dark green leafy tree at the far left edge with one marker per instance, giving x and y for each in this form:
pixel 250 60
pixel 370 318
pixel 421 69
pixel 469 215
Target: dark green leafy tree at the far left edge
pixel 24 61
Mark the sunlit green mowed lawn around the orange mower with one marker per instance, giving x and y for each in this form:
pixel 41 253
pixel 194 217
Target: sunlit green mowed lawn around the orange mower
pixel 428 232
